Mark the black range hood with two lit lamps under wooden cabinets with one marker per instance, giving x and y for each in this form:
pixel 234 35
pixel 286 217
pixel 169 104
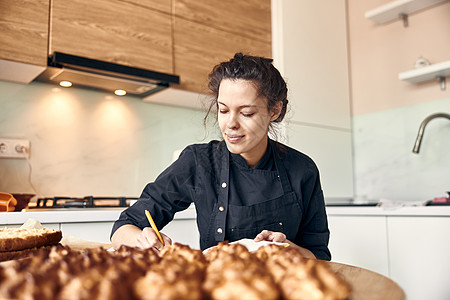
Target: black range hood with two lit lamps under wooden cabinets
pixel 106 76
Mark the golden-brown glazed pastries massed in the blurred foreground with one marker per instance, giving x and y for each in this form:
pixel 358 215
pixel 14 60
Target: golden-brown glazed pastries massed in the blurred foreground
pixel 227 271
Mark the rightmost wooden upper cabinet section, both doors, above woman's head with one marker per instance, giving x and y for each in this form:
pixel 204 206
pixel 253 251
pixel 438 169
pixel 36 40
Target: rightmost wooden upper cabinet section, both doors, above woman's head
pixel 209 32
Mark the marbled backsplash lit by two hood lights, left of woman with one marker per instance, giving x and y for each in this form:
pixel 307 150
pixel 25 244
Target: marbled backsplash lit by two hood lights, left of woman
pixel 89 143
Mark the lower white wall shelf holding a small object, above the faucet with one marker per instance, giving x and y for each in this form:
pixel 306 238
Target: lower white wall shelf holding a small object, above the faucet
pixel 431 72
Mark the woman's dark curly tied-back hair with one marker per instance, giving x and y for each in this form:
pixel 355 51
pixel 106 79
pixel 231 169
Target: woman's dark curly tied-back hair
pixel 260 71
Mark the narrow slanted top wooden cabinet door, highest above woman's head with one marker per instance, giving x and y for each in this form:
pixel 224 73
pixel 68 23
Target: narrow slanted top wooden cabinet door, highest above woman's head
pixel 249 18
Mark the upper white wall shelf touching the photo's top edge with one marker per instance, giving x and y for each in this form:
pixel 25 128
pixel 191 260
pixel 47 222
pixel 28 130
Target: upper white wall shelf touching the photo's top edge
pixel 399 9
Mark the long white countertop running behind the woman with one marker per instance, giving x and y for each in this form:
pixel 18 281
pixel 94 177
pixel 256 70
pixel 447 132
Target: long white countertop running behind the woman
pixel 80 215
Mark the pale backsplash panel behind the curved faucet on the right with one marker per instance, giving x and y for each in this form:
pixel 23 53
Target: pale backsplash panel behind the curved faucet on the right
pixel 386 167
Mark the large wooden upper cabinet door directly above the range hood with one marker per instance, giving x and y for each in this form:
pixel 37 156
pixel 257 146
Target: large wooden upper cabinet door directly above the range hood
pixel 124 32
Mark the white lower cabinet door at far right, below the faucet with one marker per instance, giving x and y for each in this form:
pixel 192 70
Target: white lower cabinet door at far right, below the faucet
pixel 419 249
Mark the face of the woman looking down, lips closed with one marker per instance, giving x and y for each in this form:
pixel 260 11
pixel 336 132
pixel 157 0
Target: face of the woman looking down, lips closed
pixel 244 119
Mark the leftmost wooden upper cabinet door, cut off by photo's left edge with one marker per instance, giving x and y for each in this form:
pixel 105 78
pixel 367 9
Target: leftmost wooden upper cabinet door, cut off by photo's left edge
pixel 24 31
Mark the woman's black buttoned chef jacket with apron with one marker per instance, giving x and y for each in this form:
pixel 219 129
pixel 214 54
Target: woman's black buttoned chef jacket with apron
pixel 282 193
